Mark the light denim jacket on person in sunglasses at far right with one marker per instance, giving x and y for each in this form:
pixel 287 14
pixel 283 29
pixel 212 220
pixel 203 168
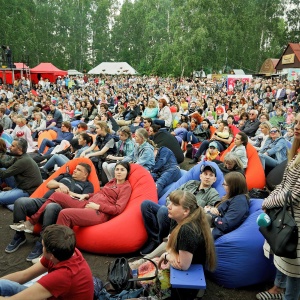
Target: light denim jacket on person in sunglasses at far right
pixel 275 148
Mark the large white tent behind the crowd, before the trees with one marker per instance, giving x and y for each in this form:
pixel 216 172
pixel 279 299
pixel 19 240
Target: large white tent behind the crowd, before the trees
pixel 113 68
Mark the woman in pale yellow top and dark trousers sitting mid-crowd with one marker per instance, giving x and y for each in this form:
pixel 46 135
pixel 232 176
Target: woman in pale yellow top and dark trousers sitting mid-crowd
pixel 222 137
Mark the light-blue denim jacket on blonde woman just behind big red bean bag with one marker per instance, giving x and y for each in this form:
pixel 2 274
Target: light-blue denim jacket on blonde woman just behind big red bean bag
pixel 142 155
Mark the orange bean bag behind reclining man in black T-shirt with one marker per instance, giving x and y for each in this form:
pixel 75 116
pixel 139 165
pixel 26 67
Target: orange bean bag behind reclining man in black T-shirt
pixel 42 189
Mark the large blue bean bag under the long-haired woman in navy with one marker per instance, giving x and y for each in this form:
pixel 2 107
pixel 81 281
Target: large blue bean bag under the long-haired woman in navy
pixel 240 257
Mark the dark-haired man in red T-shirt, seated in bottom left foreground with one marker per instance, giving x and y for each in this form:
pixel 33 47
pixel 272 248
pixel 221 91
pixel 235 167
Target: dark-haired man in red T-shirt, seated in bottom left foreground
pixel 69 276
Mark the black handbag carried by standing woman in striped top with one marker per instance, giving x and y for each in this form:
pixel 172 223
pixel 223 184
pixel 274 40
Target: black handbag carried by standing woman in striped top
pixel 282 233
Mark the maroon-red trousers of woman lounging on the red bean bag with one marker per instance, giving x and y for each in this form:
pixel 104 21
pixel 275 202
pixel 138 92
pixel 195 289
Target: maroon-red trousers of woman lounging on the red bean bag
pixel 73 213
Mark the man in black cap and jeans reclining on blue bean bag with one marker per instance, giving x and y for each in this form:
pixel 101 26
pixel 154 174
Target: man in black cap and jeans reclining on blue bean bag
pixel 155 217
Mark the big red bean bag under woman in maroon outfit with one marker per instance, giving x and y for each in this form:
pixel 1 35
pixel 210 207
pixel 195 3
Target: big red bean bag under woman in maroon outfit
pixel 124 233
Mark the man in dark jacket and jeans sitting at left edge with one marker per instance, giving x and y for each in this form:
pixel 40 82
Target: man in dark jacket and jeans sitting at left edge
pixel 25 172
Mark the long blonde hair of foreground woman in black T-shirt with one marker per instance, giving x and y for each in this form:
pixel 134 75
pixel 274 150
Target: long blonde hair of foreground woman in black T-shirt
pixel 198 222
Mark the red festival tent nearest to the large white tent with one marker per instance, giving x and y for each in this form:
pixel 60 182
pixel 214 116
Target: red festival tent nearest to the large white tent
pixel 47 71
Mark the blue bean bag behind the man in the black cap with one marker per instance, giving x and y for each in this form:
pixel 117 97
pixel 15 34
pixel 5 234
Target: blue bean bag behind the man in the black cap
pixel 193 174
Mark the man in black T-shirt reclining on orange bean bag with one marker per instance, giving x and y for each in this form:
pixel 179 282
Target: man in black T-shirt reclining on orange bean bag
pixel 65 183
